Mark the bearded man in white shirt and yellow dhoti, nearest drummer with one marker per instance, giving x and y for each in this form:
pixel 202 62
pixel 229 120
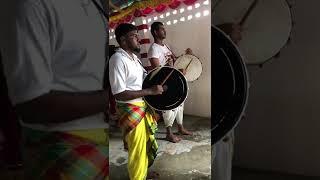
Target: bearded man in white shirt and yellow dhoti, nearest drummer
pixel 137 120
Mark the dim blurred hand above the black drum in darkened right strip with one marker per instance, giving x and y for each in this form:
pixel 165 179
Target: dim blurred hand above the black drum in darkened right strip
pixel 233 30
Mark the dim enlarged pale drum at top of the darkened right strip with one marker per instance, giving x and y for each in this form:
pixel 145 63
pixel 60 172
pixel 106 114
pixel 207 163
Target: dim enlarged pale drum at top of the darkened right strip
pixel 266 29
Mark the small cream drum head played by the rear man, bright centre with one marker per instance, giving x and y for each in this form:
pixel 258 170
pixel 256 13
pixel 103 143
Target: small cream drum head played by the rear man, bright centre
pixel 193 65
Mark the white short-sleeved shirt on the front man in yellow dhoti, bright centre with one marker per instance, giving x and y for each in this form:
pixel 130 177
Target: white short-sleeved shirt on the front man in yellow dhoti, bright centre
pixel 126 73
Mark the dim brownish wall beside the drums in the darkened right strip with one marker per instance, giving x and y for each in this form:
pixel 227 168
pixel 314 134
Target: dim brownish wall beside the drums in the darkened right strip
pixel 282 128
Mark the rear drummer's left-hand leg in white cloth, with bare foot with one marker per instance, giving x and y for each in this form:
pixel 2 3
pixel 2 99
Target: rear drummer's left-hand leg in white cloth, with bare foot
pixel 168 118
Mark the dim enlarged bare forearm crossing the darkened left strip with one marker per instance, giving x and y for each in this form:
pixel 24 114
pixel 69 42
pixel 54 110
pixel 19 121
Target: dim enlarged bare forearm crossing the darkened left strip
pixel 60 106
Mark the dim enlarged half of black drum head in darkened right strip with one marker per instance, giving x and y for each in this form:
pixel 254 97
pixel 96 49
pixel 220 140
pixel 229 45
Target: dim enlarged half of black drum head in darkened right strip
pixel 230 85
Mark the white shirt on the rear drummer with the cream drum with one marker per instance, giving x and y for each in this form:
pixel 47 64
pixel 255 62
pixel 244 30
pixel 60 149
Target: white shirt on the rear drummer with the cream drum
pixel 160 52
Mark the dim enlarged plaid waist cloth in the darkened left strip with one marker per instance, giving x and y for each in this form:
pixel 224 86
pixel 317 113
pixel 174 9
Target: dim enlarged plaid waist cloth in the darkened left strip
pixel 75 155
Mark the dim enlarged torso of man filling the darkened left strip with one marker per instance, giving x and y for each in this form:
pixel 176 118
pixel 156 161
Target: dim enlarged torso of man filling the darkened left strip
pixel 53 57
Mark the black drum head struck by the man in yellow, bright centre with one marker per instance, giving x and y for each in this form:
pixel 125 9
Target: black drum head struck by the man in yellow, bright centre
pixel 177 88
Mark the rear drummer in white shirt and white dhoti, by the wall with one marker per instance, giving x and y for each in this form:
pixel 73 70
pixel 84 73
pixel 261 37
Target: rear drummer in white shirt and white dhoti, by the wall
pixel 160 54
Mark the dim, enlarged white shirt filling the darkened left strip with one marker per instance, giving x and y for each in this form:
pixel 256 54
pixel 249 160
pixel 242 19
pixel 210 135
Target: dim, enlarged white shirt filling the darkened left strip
pixel 55 45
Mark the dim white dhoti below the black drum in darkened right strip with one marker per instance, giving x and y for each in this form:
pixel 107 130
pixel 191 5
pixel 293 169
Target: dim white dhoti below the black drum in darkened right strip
pixel 222 158
